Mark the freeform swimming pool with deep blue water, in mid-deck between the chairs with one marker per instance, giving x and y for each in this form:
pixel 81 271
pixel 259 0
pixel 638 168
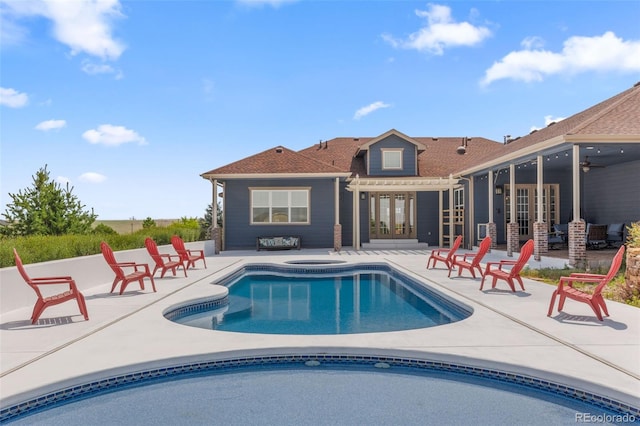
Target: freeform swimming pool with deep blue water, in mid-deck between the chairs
pixel 274 299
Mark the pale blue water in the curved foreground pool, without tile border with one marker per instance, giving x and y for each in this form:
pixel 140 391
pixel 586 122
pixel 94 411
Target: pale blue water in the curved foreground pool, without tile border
pixel 325 394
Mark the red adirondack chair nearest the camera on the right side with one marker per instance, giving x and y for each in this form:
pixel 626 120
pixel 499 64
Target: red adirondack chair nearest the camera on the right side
pixel 595 300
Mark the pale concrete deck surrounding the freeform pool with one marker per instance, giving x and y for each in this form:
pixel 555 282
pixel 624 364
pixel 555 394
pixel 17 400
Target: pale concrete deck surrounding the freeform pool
pixel 507 331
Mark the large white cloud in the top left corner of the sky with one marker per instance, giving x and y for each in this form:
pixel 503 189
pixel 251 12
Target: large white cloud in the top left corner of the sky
pixel 83 25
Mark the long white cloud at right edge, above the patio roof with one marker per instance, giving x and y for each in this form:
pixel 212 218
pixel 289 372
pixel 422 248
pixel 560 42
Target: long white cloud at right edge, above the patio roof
pixel 579 54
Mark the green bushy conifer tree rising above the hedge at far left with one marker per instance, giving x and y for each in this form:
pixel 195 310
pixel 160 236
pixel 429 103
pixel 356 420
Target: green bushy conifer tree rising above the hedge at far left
pixel 46 209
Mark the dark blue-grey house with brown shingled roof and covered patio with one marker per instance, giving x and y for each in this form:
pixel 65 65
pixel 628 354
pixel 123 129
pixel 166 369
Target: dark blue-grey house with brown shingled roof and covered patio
pixel 395 190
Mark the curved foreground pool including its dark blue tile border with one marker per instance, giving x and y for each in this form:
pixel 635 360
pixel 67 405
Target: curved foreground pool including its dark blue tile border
pixel 320 389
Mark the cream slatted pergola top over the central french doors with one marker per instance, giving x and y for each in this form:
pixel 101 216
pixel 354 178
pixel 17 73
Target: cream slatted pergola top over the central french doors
pixel 403 184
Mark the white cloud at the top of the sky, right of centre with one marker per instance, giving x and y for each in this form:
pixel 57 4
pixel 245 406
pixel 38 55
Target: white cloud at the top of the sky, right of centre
pixel 440 33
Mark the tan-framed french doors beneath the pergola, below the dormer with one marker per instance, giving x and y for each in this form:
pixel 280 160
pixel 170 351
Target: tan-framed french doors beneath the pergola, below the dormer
pixel 392 215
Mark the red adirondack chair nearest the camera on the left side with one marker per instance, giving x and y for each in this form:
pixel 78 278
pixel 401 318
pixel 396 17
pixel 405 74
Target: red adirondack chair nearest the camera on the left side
pixel 44 302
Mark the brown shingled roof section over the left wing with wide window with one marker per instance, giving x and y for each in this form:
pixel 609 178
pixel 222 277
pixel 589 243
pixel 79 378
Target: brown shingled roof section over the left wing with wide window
pixel 274 161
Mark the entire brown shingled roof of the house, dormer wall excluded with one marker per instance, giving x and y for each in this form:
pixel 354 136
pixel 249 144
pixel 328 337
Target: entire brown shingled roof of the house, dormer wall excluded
pixel 615 119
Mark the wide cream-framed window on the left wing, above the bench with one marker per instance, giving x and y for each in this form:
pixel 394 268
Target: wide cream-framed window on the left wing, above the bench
pixel 279 205
